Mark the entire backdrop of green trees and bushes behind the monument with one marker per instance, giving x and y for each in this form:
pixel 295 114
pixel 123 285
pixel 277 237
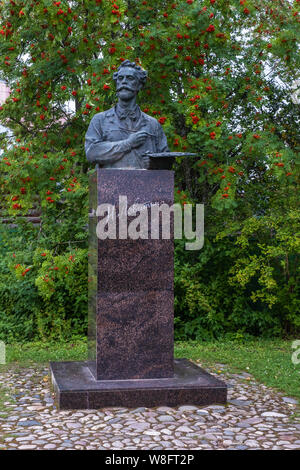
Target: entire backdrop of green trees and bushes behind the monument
pixel 222 73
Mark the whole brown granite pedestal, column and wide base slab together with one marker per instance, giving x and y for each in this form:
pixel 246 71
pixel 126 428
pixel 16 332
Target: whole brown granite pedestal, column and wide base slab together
pixel 131 312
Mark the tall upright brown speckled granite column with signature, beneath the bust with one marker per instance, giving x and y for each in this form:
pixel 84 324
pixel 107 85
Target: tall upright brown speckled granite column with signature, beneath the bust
pixel 131 300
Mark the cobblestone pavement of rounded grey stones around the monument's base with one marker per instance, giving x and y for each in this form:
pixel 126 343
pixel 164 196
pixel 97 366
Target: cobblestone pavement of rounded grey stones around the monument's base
pixel 255 417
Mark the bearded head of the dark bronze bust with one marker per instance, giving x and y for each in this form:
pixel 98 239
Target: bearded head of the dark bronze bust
pixel 130 79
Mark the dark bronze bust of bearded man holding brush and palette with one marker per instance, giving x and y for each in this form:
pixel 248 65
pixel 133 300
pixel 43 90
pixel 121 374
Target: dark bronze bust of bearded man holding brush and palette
pixel 120 137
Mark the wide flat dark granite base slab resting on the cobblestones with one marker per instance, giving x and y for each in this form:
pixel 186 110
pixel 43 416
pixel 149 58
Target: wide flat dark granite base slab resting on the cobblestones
pixel 75 387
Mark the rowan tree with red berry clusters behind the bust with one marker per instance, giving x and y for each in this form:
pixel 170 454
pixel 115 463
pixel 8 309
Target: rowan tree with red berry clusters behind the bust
pixel 221 81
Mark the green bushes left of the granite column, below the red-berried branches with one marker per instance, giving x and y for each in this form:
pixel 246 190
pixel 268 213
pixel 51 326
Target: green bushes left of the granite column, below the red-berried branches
pixel 42 295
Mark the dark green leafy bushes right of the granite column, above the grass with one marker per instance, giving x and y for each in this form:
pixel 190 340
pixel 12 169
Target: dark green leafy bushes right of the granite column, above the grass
pixel 246 277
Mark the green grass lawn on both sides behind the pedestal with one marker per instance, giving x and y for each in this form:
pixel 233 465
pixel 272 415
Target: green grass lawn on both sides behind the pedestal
pixel 269 361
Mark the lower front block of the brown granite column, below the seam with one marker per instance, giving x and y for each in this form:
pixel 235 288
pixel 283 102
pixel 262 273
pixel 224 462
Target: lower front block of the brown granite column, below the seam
pixel 135 335
